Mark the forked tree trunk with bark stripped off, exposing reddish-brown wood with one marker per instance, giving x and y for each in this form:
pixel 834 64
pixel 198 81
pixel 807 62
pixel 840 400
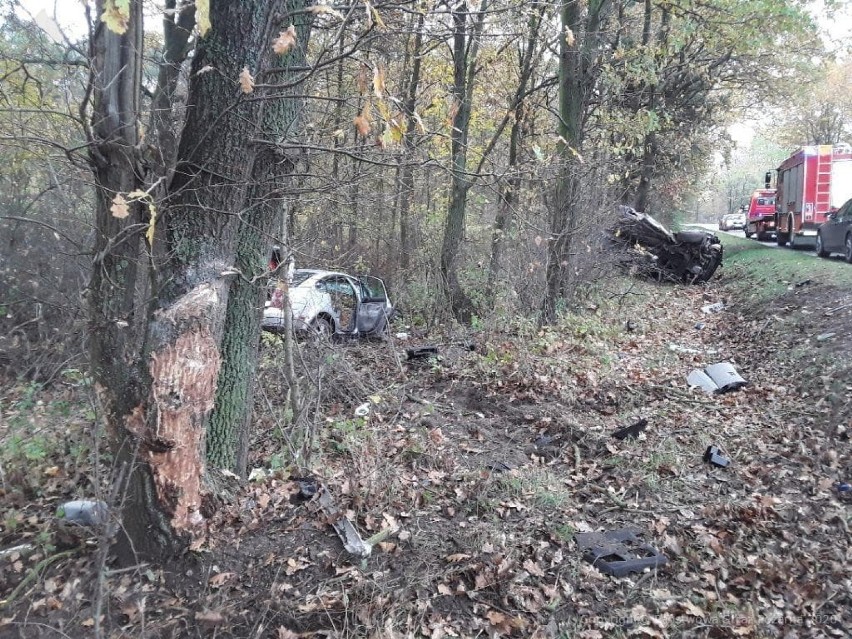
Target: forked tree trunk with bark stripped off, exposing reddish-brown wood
pixel 160 395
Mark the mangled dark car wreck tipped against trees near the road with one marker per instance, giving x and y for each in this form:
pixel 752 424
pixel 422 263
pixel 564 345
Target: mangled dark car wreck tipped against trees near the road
pixel 651 249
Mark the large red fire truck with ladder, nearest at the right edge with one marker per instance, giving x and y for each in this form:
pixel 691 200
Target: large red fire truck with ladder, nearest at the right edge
pixel 811 183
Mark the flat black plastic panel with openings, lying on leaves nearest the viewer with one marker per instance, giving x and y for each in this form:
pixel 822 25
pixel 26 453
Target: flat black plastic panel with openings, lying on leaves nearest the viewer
pixel 618 552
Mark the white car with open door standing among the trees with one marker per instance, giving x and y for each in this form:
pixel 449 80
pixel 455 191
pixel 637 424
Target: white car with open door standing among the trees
pixel 330 303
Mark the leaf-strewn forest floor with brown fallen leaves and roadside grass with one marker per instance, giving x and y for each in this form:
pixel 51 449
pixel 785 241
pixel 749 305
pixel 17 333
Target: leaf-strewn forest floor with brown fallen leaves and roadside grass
pixel 480 467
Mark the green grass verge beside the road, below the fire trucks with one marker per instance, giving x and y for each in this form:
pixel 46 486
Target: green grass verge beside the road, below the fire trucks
pixel 765 272
